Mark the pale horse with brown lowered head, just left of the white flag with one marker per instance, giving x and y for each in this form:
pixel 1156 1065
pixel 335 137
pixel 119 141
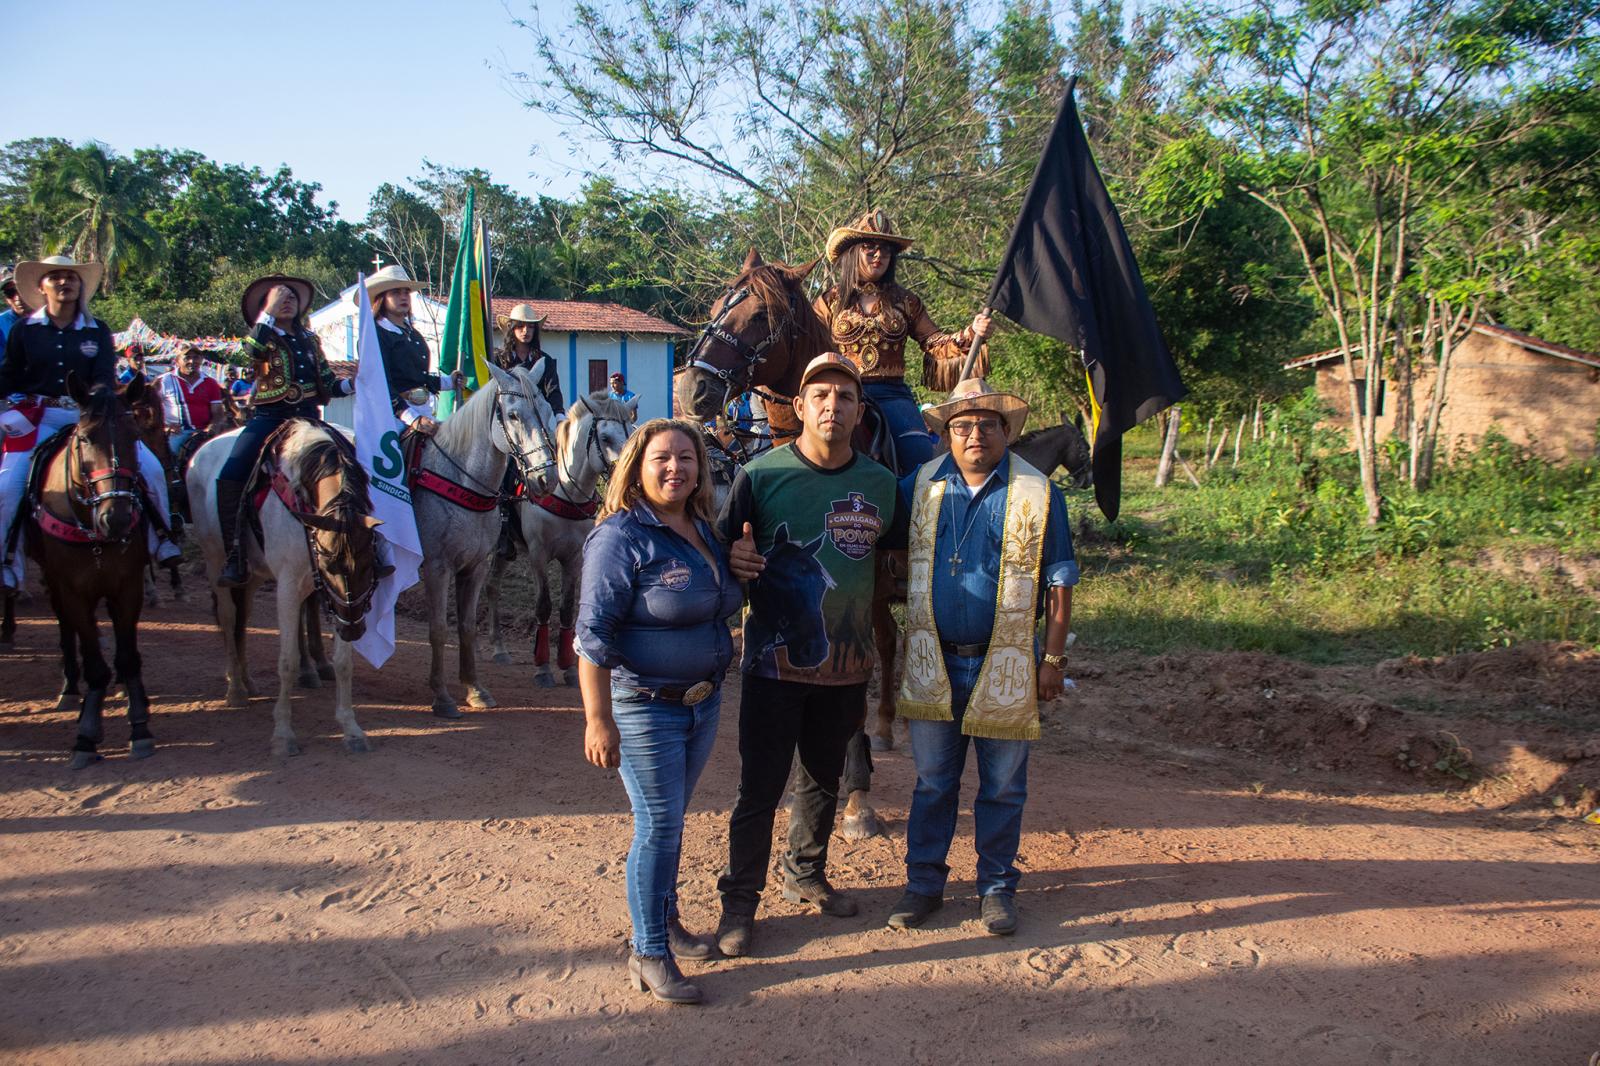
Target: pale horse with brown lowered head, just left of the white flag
pixel 327 545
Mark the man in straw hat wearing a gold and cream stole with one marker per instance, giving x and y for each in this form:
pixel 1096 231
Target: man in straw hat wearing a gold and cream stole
pixel 991 551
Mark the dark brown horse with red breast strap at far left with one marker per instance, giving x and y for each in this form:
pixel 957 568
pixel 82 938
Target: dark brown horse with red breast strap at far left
pixel 90 543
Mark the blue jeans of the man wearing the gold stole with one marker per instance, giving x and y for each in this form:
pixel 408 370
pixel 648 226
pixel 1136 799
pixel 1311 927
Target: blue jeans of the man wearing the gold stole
pixel 940 751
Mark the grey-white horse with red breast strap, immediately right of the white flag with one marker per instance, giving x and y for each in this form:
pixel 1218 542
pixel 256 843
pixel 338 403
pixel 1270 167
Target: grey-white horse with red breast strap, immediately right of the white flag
pixel 505 422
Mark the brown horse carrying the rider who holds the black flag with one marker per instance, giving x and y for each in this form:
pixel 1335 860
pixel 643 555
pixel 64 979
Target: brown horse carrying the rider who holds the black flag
pixel 762 334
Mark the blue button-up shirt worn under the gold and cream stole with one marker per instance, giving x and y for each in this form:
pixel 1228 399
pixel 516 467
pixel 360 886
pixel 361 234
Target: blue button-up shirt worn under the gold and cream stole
pixel 972 526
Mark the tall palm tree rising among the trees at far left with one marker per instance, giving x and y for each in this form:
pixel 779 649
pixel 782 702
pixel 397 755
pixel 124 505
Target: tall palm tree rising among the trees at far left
pixel 95 202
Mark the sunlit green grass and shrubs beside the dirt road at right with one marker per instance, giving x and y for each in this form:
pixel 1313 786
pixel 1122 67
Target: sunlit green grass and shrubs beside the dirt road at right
pixel 1276 555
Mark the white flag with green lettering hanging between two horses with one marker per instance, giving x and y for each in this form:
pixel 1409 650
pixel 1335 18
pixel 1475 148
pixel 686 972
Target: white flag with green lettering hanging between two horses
pixel 378 449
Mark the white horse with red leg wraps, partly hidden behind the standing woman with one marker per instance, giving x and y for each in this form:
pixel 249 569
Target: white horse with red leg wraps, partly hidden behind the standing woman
pixel 590 443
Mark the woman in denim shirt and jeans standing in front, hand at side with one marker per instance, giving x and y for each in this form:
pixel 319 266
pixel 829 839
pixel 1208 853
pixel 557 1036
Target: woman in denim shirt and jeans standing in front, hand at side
pixel 654 647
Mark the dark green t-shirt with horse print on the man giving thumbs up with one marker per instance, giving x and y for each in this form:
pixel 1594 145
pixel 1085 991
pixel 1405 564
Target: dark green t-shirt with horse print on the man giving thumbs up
pixel 812 609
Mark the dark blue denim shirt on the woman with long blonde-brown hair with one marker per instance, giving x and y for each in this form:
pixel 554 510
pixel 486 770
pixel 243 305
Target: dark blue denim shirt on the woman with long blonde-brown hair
pixel 652 609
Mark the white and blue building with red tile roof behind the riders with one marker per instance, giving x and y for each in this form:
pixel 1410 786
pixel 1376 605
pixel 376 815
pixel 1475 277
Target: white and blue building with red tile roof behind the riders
pixel 590 342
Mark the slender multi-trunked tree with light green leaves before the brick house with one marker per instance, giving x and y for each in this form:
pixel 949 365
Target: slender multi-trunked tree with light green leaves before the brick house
pixel 1350 121
